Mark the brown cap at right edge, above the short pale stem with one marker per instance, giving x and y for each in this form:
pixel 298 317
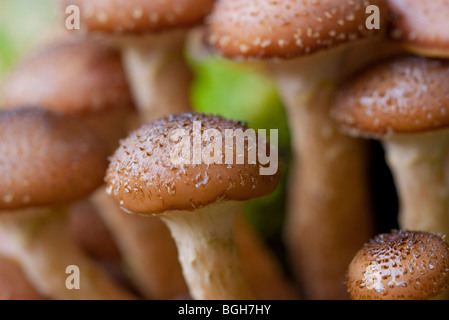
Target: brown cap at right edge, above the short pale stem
pixel 402 95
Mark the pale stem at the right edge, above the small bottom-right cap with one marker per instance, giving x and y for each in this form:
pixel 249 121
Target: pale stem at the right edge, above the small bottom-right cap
pixel 418 163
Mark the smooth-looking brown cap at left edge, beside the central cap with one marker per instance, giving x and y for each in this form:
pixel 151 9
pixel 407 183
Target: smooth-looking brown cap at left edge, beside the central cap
pixel 47 159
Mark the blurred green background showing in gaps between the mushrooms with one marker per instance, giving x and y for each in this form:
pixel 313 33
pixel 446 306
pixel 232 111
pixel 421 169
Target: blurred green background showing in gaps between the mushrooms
pixel 236 91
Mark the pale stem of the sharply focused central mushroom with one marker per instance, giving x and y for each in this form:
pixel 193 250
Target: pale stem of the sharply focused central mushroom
pixel 208 252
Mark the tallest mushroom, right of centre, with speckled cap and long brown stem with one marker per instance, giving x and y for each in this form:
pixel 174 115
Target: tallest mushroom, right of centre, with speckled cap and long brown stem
pixel 305 45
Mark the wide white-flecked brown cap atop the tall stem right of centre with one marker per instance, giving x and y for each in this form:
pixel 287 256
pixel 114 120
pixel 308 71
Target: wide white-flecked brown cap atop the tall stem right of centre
pixel 267 29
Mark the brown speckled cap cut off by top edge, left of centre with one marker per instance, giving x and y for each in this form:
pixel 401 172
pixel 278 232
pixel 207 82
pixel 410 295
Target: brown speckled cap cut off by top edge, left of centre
pixel 138 16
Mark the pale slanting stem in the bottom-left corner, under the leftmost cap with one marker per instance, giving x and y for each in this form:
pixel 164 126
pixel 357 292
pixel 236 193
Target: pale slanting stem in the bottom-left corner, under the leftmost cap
pixel 39 241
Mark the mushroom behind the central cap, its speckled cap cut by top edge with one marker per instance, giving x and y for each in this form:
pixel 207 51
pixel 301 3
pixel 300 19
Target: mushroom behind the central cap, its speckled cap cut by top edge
pixel 151 36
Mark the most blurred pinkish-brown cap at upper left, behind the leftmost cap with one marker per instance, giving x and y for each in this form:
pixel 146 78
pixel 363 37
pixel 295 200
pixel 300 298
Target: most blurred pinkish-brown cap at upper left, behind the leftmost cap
pixel 75 77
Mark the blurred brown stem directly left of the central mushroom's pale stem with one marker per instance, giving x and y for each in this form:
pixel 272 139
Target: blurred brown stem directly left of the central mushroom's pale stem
pixel 147 248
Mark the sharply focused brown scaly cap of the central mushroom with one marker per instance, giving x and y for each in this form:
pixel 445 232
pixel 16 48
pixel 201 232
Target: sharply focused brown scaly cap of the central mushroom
pixel 144 179
